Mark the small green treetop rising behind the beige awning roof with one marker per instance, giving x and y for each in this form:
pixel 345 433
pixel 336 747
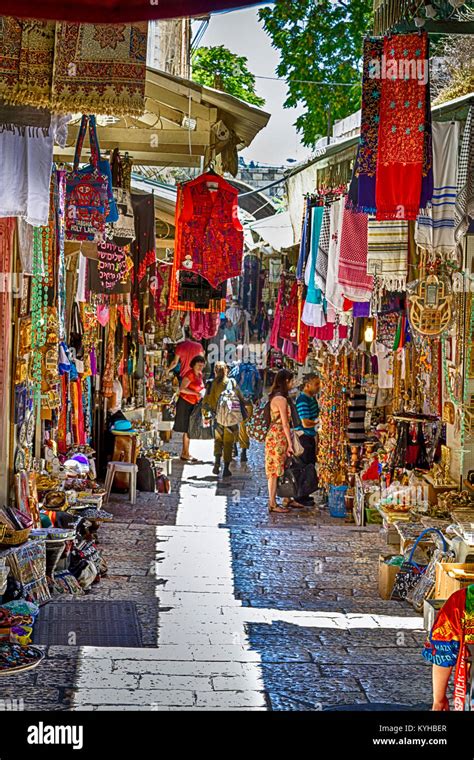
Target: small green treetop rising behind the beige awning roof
pixel 218 67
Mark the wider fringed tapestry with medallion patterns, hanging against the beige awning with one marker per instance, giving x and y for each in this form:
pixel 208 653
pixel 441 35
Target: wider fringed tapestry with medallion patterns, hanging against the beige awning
pixel 100 68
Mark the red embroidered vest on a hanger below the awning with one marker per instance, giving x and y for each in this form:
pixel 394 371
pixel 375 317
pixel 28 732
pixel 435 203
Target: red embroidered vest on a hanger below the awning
pixel 209 236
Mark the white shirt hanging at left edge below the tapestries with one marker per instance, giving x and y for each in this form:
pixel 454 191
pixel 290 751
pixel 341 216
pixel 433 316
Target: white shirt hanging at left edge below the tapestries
pixel 25 170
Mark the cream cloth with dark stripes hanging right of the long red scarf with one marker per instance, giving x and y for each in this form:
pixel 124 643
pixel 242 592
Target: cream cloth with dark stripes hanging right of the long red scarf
pixel 434 230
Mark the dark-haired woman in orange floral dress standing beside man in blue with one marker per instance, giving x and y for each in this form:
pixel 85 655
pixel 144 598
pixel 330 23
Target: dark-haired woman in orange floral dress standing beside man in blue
pixel 278 443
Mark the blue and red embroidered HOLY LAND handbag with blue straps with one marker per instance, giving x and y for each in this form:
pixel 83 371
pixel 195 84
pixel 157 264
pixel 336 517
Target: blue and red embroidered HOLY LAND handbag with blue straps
pixel 87 192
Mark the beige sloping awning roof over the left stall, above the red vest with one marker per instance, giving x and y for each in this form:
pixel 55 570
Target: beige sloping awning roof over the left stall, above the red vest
pixel 184 123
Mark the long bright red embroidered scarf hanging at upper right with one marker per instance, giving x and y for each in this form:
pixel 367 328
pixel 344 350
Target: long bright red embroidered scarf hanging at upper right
pixel 403 104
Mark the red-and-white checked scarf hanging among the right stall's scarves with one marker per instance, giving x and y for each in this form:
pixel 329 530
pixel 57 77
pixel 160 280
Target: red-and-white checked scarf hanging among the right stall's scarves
pixel 356 284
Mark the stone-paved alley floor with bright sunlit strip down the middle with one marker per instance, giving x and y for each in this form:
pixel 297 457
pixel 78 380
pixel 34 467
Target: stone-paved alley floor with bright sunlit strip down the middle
pixel 239 609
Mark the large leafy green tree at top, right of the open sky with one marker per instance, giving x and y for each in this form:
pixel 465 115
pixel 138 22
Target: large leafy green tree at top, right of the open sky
pixel 319 41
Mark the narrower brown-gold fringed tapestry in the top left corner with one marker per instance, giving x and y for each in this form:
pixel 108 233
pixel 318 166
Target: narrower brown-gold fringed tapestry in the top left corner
pixel 26 61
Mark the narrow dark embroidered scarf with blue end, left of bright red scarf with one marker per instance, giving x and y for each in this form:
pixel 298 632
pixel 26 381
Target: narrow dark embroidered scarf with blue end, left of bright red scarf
pixel 366 161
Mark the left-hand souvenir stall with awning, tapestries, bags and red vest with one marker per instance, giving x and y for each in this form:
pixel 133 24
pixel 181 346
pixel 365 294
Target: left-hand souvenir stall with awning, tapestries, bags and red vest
pixel 89 312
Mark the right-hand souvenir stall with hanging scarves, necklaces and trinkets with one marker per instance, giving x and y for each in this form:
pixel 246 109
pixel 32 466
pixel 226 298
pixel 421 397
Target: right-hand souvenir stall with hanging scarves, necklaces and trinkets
pixel 381 300
